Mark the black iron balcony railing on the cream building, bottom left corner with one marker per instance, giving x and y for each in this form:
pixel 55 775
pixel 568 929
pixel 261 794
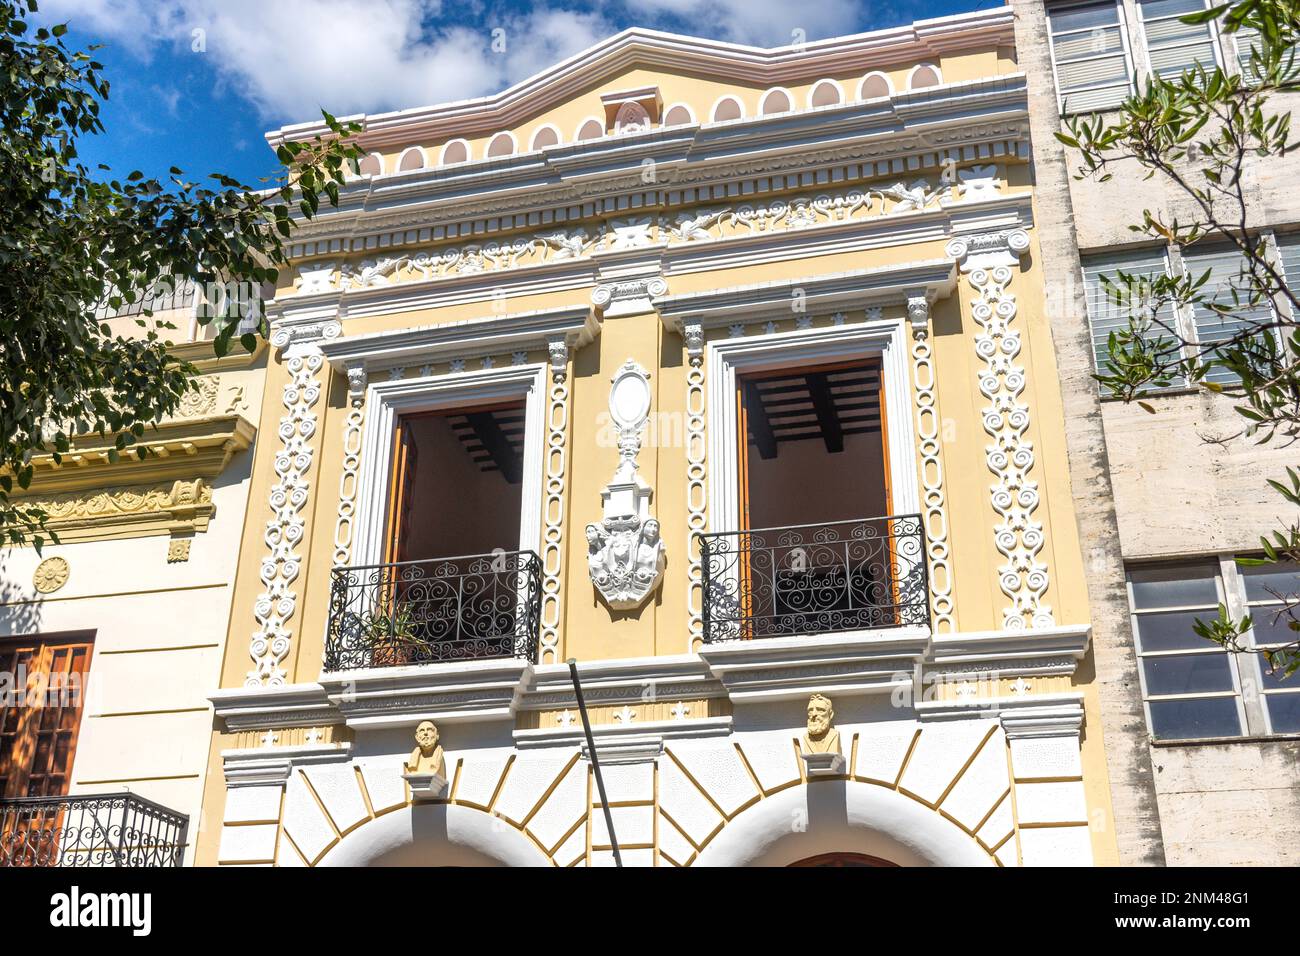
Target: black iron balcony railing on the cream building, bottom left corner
pixel 94 830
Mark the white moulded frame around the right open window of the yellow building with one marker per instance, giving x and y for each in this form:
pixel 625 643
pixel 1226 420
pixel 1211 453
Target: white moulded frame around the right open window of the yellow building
pixel 727 358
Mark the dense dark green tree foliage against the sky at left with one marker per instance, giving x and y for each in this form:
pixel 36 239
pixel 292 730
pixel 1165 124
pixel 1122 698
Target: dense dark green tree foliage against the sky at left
pixel 80 244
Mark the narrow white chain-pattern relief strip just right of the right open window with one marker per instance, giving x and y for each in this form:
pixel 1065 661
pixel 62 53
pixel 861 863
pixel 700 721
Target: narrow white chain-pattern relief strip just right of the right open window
pixel 929 430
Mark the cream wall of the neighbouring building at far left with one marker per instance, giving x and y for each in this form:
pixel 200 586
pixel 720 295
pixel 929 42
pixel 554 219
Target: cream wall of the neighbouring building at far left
pixel 159 637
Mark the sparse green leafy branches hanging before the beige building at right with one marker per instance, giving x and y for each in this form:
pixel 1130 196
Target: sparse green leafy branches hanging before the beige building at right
pixel 1201 135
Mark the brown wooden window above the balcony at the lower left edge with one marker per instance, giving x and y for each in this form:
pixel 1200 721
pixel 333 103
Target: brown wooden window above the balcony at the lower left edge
pixel 41 708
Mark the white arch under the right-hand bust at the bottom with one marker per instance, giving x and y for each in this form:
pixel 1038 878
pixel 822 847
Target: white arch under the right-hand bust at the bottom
pixel 843 816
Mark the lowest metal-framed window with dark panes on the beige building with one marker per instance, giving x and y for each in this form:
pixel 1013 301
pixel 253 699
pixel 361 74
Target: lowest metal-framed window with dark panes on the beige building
pixel 1191 689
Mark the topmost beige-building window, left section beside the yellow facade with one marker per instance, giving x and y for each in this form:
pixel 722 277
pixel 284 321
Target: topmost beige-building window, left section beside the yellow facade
pixel 1091 55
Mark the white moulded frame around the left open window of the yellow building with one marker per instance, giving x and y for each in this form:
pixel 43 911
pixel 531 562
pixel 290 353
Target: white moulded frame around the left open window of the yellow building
pixel 387 401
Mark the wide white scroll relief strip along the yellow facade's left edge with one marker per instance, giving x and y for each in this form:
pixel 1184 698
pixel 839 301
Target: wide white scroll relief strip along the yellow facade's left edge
pixel 280 568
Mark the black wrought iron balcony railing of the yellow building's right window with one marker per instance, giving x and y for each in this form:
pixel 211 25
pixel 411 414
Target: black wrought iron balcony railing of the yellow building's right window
pixel 860 576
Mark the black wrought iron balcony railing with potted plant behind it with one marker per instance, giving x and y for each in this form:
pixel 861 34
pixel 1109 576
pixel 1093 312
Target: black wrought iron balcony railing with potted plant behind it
pixel 444 609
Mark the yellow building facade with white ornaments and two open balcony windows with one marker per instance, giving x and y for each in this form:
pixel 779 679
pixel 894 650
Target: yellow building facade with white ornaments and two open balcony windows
pixel 729 371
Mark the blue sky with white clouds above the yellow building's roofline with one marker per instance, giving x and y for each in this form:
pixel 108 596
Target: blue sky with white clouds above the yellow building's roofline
pixel 197 83
